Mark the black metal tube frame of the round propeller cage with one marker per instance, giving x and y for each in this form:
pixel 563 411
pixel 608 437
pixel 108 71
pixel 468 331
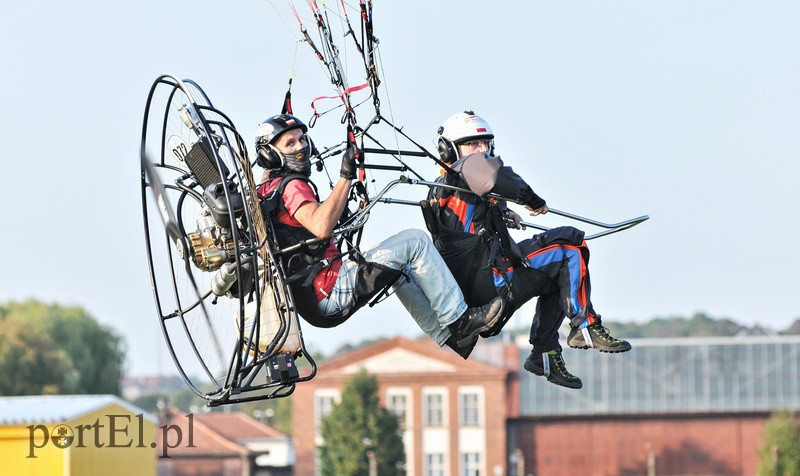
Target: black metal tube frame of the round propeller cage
pixel 237 385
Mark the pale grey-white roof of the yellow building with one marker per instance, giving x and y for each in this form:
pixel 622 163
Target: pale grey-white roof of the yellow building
pixel 58 408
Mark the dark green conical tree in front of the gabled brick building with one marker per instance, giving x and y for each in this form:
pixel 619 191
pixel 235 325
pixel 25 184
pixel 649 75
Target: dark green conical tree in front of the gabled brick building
pixel 356 425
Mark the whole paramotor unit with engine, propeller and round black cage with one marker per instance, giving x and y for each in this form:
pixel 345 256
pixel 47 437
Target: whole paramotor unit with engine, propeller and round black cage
pixel 226 312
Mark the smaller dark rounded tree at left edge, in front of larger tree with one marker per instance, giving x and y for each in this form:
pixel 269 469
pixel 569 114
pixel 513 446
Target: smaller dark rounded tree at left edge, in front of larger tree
pixel 30 363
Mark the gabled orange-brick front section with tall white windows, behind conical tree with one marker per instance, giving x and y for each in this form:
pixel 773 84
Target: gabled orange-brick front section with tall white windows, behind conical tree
pixel 453 411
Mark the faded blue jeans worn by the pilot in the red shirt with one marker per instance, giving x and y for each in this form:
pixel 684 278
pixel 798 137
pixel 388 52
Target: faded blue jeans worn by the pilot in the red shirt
pixel 432 296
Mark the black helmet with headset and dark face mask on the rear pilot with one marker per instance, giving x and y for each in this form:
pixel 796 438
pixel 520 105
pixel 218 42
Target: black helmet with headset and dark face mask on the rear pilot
pixel 269 157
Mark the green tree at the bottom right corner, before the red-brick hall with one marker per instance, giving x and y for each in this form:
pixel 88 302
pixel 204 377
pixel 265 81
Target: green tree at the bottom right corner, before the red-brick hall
pixel 780 449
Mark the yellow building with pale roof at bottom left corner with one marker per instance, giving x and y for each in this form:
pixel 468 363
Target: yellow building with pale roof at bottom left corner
pixel 75 435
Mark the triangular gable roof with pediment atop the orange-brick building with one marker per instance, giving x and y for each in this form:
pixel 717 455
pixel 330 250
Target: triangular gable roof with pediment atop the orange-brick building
pixel 404 356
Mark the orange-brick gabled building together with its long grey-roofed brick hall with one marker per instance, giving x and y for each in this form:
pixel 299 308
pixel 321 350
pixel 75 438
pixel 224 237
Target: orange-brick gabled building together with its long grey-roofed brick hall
pixel 670 406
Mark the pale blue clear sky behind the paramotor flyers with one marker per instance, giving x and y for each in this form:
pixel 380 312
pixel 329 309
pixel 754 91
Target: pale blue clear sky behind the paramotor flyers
pixel 687 111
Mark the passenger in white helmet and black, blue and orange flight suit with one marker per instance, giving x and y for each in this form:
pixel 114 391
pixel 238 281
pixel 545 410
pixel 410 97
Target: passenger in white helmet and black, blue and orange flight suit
pixel 470 231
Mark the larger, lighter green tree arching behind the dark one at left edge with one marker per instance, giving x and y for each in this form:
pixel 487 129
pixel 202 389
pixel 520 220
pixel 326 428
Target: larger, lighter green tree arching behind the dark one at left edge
pixel 94 352
